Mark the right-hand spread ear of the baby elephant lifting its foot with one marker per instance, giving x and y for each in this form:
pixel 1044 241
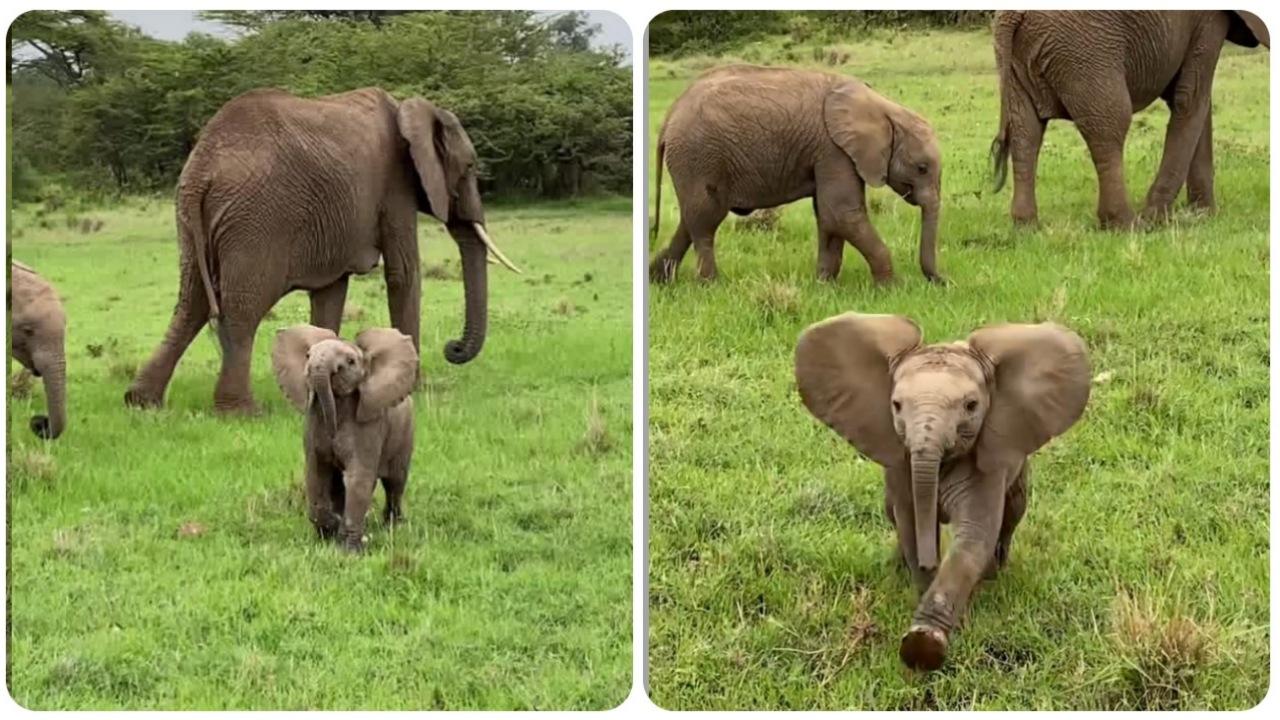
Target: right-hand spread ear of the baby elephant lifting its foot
pixel 1041 386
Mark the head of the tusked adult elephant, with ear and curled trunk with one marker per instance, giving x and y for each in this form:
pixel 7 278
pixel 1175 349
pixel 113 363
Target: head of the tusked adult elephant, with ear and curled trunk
pixel 445 162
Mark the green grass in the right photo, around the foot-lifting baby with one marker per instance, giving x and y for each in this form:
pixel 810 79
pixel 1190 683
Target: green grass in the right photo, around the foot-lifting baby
pixel 1140 577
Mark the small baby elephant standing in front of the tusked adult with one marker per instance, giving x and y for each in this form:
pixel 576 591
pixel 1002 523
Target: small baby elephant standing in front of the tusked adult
pixel 359 421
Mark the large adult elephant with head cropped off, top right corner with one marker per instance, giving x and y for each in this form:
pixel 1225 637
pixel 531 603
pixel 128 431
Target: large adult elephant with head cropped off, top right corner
pixel 1098 69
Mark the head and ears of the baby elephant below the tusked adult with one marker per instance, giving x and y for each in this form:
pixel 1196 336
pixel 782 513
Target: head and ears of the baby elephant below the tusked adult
pixel 314 363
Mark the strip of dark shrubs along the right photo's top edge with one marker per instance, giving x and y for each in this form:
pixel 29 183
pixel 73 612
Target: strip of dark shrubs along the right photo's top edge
pixel 684 33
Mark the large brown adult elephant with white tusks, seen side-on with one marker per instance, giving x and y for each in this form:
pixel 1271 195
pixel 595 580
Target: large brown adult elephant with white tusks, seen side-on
pixel 285 194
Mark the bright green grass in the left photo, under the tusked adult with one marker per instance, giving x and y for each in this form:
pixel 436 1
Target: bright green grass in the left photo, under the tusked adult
pixel 164 559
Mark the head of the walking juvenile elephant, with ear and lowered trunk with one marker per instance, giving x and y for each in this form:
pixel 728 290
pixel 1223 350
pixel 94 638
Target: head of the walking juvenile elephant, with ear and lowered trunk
pixel 890 145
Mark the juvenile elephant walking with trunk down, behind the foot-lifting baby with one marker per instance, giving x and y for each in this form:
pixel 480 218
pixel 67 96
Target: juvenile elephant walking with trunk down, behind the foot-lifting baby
pixel 748 138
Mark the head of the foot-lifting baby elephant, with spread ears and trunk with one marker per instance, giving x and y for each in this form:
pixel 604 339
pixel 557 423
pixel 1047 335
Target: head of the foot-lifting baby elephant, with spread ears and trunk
pixel 998 397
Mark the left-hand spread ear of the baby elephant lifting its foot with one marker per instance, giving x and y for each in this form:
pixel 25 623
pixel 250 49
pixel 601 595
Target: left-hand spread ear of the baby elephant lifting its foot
pixel 844 373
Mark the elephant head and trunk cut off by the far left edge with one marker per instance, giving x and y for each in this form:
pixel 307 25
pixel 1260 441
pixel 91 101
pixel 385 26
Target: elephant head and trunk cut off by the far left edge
pixel 38 335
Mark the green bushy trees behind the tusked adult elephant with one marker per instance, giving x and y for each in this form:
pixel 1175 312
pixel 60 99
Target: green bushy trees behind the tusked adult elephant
pixel 98 108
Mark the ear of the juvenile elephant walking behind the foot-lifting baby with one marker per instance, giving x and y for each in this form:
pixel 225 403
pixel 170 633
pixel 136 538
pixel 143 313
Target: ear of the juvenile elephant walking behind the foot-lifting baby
pixel 857 122
